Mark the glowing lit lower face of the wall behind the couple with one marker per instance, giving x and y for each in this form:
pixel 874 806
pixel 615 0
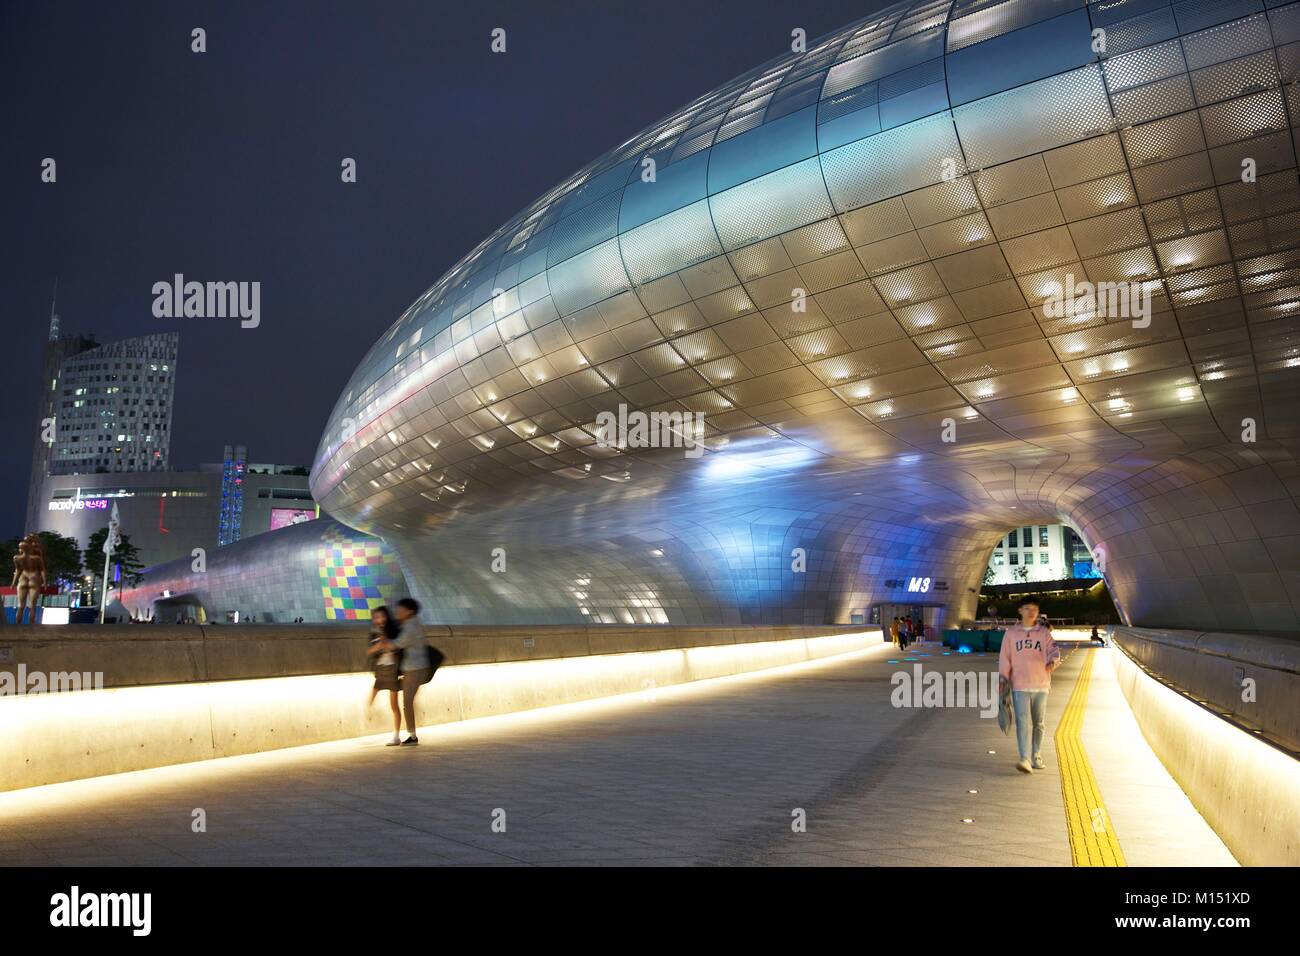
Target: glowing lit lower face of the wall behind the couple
pixel 140 728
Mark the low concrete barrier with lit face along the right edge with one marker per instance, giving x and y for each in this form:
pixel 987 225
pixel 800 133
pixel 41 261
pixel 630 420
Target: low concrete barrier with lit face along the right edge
pixel 1247 789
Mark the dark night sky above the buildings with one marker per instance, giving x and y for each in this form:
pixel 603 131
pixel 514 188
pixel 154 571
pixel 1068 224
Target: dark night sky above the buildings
pixel 226 167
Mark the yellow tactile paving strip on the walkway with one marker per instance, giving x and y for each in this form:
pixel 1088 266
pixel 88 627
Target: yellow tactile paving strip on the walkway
pixel 1093 840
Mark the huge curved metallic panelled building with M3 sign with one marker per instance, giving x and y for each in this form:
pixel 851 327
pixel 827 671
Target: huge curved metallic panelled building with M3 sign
pixel 842 262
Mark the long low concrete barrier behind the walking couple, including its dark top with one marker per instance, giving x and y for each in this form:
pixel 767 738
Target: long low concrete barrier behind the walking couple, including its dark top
pixel 175 695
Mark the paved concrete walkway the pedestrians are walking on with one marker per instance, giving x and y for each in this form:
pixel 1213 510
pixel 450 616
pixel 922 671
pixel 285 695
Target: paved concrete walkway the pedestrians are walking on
pixel 712 773
